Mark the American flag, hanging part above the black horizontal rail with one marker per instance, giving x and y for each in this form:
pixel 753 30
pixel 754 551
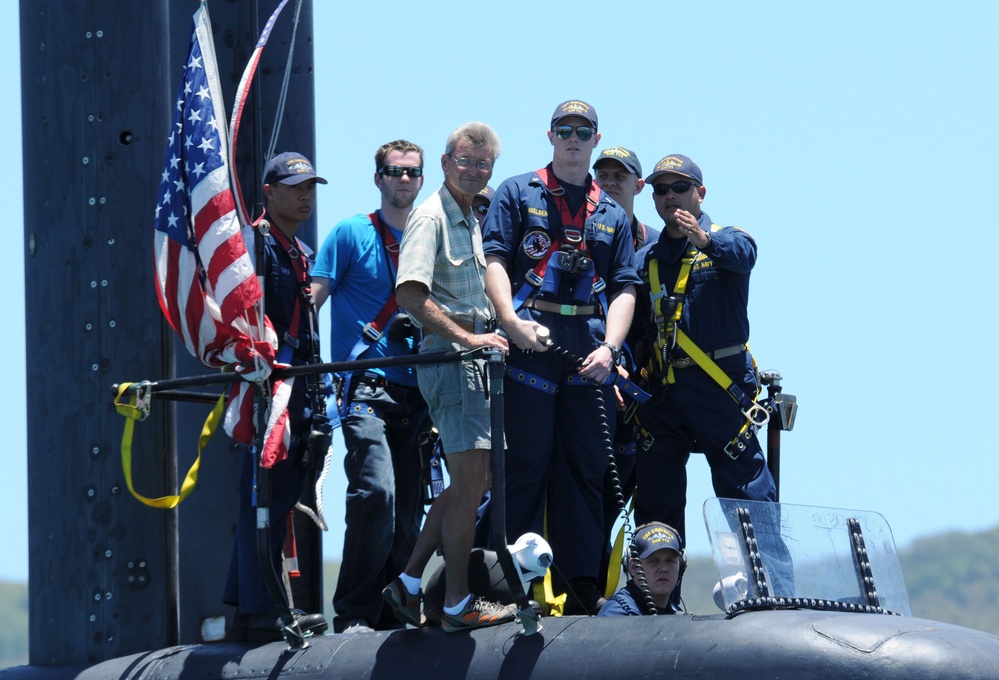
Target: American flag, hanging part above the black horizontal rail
pixel 205 279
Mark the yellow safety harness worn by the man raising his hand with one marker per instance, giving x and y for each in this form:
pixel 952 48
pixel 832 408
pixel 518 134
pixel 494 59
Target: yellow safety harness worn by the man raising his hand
pixel 666 313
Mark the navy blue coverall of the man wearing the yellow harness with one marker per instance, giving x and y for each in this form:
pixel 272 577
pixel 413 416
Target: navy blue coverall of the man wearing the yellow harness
pixel 695 414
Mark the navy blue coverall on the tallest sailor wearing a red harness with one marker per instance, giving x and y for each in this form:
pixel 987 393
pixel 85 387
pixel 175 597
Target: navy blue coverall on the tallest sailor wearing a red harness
pixel 557 433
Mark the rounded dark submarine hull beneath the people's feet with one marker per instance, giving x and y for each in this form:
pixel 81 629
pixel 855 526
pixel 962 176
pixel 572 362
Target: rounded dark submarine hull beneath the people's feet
pixel 762 644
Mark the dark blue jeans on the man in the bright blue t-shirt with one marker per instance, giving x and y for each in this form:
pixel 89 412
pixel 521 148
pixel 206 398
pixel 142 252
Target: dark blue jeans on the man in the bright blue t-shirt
pixel 384 495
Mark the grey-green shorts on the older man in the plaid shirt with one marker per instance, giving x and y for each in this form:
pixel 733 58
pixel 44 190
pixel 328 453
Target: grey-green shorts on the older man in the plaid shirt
pixel 456 396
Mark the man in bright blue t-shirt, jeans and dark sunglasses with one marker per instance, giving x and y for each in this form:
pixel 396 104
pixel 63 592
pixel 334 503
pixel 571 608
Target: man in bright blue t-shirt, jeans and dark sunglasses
pixel 384 417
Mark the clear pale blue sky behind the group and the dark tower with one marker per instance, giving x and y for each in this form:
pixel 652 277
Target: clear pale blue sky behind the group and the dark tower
pixel 856 141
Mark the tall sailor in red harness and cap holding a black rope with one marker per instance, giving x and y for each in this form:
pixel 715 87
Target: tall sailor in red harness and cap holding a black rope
pixel 560 255
